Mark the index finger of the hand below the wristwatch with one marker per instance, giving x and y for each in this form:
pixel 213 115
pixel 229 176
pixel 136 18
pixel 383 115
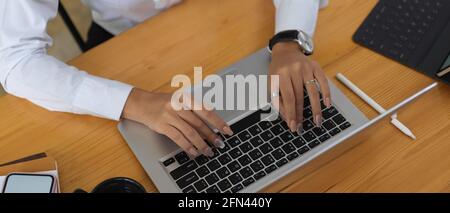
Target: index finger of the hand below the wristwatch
pixel 287 92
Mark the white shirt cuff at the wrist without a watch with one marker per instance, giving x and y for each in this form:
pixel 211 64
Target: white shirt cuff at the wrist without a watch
pixel 102 97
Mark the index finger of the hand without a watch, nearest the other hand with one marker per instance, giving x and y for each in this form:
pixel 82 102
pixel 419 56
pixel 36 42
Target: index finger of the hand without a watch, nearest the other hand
pixel 211 118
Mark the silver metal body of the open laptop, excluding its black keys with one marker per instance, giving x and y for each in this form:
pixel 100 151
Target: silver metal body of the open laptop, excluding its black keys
pixel 151 149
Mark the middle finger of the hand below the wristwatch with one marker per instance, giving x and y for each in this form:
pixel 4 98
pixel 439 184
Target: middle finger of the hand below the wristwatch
pixel 297 82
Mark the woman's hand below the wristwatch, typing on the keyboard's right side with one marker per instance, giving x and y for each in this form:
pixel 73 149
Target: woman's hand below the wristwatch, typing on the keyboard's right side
pixel 295 71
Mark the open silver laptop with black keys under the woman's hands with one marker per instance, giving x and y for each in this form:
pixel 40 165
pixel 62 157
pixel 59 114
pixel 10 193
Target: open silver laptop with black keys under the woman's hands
pixel 261 151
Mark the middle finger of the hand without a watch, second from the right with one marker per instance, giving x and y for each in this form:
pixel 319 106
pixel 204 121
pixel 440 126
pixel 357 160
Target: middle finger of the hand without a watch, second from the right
pixel 202 128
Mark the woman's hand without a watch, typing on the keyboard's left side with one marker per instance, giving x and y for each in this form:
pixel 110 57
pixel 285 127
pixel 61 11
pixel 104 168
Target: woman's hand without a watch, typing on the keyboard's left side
pixel 185 127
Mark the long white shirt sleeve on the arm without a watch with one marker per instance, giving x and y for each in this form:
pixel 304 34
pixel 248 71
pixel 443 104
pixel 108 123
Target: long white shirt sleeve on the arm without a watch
pixel 27 71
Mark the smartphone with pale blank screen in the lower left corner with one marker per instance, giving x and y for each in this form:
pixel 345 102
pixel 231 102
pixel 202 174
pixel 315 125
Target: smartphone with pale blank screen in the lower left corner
pixel 28 183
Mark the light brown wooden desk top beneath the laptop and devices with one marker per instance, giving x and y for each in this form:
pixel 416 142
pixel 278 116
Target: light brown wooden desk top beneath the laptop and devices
pixel 214 34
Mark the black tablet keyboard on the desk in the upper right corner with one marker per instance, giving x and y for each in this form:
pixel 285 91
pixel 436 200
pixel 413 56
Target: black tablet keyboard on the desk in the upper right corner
pixel 396 27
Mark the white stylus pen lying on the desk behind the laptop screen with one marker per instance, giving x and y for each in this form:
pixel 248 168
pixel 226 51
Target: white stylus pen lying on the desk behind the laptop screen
pixel 374 104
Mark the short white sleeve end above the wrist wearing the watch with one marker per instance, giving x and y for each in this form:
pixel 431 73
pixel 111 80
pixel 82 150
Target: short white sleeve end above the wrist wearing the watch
pixel 297 14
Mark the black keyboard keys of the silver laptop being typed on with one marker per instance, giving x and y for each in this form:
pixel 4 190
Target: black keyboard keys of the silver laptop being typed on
pixel 258 148
